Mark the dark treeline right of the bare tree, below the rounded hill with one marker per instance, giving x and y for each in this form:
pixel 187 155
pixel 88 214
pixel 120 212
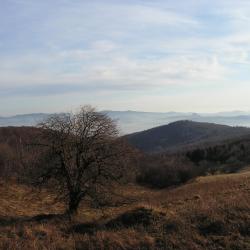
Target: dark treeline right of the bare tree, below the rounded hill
pixel 164 170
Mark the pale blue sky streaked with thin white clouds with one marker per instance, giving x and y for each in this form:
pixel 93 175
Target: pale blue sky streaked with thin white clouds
pixel 148 55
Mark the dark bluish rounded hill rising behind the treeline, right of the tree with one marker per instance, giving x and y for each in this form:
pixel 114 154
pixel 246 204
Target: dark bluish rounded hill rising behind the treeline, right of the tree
pixel 182 133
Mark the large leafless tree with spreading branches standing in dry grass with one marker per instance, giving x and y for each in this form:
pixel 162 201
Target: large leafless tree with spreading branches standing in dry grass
pixel 82 155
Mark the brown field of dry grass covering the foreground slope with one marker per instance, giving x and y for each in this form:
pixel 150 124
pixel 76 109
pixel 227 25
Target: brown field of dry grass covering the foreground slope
pixel 208 213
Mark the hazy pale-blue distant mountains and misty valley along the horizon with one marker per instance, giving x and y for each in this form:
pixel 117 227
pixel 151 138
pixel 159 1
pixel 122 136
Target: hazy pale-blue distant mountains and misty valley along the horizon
pixel 134 121
